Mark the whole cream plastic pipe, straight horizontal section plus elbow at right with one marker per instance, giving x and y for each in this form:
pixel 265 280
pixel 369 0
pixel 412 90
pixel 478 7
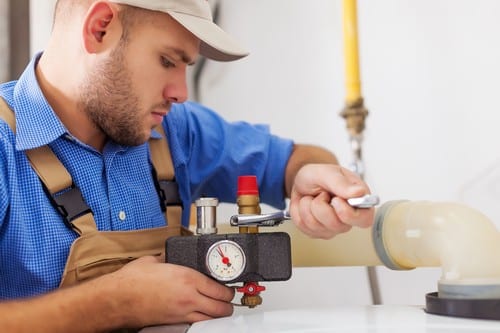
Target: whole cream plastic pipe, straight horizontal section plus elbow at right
pixel 409 234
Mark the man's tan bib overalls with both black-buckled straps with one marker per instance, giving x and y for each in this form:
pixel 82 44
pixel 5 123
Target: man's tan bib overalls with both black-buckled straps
pixel 96 252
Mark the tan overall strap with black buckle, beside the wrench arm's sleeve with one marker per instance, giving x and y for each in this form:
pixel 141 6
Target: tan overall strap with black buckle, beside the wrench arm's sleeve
pixel 167 187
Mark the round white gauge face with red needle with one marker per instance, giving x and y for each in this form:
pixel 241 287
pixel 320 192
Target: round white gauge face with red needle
pixel 225 260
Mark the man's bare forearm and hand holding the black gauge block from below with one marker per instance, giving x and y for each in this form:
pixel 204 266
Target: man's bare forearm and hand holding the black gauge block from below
pixel 144 292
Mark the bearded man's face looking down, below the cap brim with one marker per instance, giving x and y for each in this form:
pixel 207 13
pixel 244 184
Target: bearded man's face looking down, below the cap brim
pixel 131 90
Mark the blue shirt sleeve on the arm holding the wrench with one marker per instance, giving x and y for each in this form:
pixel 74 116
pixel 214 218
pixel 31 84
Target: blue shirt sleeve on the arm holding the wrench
pixel 215 152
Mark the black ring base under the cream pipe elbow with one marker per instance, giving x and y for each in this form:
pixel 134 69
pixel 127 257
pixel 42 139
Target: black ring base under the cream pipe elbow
pixel 467 308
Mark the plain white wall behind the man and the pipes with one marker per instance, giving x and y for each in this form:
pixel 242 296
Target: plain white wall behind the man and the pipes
pixel 429 74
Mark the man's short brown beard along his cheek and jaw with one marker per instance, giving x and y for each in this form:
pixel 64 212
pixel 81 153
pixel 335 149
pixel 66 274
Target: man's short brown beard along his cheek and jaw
pixel 107 98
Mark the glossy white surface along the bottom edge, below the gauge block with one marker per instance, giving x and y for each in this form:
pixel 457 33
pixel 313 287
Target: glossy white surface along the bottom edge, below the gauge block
pixel 357 319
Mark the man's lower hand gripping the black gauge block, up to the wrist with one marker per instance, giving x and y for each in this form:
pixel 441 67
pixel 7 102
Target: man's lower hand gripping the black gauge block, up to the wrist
pixel 162 293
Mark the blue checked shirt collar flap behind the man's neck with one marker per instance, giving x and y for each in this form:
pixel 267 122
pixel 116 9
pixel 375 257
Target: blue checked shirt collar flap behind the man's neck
pixel 36 122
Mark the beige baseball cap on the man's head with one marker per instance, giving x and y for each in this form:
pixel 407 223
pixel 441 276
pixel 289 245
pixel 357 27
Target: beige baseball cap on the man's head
pixel 196 16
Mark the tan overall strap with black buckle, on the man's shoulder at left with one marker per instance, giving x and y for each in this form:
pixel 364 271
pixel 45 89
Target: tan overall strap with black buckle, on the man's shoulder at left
pixel 57 182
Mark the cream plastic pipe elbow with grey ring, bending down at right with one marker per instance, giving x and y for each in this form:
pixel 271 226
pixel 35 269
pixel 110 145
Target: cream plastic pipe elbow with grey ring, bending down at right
pixel 459 239
